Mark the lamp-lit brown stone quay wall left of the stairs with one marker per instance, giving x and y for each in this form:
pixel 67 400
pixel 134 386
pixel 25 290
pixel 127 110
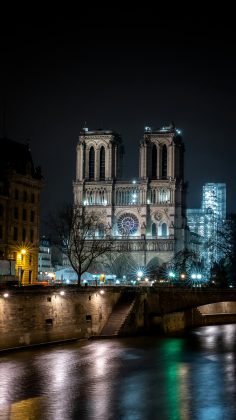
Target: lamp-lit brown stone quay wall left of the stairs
pixel 29 316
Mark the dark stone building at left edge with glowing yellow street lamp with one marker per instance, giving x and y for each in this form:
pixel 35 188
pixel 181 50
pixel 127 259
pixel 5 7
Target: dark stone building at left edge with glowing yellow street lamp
pixel 20 187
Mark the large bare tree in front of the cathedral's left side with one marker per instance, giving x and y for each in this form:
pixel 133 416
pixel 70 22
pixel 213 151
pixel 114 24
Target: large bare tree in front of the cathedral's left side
pixel 81 235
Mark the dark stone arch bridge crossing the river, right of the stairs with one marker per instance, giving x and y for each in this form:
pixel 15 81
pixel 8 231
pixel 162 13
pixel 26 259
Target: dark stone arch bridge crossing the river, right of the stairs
pixel 181 308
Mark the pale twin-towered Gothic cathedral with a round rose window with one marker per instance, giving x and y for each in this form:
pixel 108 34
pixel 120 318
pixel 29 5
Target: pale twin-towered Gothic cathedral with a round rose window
pixel 148 211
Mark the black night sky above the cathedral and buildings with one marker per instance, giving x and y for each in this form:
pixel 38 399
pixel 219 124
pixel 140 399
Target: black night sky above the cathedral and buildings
pixel 122 70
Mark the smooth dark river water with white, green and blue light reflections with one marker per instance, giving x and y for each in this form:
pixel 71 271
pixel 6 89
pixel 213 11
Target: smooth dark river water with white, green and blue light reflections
pixel 190 377
